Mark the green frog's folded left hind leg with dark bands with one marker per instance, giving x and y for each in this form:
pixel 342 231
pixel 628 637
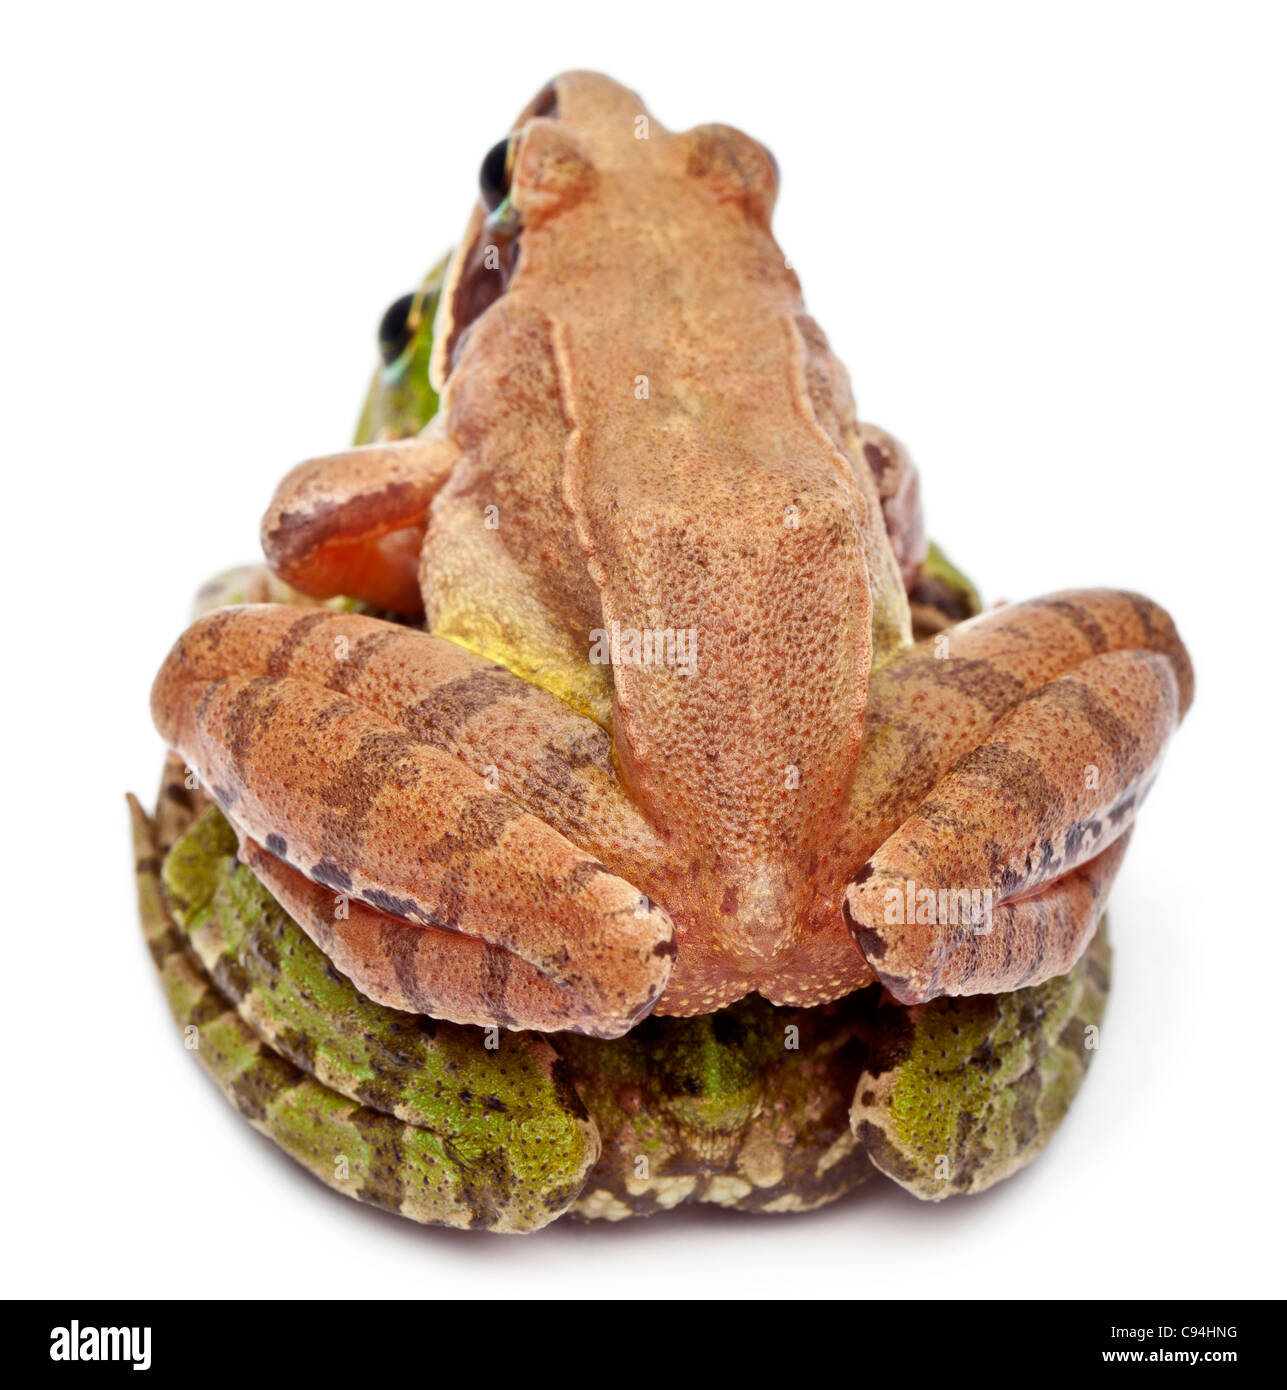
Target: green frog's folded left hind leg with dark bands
pixel 400 1113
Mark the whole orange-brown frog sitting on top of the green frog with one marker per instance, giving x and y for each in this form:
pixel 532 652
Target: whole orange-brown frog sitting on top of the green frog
pixel 641 432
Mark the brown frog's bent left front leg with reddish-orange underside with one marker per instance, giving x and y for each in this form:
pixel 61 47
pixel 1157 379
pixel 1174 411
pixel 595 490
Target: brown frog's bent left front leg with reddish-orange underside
pixel 354 523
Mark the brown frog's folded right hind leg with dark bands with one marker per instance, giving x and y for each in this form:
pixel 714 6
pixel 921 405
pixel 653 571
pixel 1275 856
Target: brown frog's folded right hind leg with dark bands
pixel 1044 728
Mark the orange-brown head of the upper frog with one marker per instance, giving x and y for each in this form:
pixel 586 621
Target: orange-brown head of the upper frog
pixel 586 140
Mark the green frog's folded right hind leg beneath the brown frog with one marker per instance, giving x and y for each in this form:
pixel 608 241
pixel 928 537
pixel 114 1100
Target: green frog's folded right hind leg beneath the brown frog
pixel 964 1092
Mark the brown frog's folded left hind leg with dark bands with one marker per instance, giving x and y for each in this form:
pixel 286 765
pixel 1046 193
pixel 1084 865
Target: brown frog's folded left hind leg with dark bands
pixel 344 747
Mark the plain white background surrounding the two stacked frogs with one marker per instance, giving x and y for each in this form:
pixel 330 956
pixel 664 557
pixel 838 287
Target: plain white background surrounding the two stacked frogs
pixel 1050 248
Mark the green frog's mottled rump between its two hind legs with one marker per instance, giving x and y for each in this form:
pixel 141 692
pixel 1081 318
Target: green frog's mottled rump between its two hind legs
pixel 746 1109
